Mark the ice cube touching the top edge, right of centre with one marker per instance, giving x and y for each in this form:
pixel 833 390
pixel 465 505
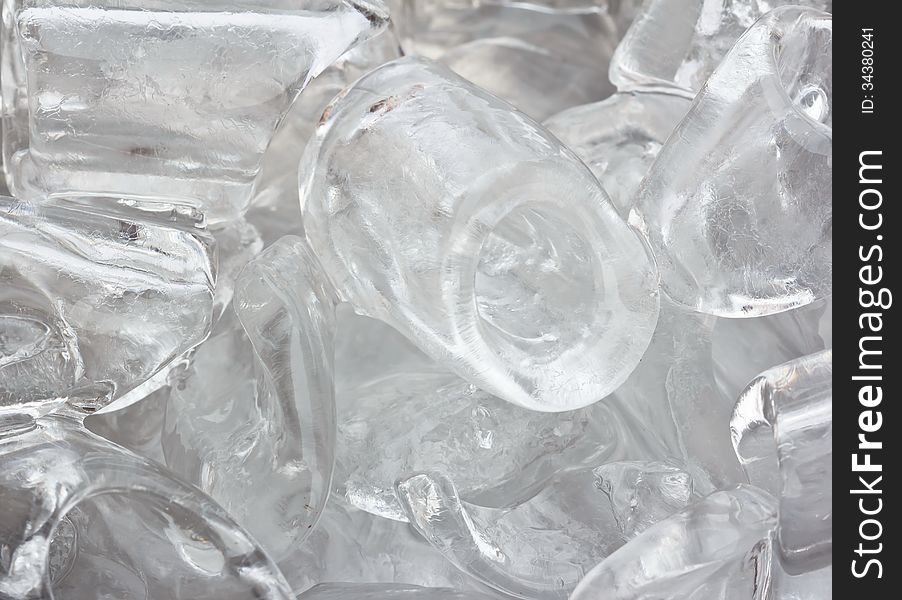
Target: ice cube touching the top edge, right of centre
pixel 674 45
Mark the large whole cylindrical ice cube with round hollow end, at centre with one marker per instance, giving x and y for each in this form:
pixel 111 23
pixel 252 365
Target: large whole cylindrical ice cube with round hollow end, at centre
pixel 500 262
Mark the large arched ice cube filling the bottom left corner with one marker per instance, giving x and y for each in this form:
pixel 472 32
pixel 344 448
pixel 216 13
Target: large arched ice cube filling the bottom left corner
pixel 85 518
